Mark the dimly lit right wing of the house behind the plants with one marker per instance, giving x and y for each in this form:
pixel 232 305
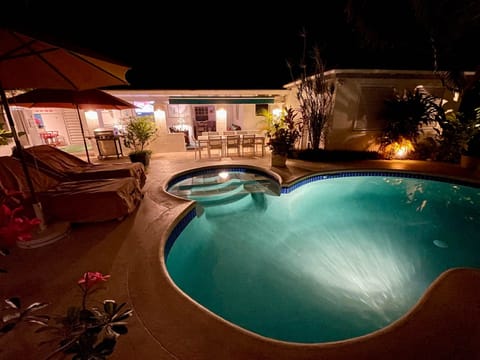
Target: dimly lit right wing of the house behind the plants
pixel 356 121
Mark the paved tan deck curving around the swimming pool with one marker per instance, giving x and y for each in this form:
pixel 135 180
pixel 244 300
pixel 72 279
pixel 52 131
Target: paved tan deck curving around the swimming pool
pixel 166 324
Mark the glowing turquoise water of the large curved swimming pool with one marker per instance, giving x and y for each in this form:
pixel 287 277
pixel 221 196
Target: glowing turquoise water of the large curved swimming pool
pixel 335 259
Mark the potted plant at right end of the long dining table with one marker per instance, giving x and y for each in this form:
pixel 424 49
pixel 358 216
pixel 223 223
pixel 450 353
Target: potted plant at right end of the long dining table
pixel 282 132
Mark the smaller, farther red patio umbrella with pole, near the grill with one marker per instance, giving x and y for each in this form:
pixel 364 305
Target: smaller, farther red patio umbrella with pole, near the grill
pixel 72 99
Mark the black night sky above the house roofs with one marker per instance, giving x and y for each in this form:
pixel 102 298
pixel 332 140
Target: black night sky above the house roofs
pixel 230 45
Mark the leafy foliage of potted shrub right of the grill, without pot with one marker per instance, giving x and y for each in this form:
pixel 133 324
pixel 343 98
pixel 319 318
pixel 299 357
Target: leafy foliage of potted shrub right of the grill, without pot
pixel 140 131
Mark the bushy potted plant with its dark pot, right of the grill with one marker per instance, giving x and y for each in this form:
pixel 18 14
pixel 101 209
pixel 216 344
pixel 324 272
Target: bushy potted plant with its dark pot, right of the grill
pixel 139 132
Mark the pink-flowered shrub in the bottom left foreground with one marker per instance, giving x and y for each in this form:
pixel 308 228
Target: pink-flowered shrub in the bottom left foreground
pixel 83 332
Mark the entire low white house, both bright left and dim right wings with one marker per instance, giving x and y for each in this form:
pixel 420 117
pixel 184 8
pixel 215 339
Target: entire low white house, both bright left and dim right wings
pixel 181 115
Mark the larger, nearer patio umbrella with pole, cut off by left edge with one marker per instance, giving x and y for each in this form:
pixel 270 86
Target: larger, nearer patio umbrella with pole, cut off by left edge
pixel 26 62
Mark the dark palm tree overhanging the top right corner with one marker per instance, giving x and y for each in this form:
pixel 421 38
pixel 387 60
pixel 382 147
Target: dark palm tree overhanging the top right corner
pixel 451 27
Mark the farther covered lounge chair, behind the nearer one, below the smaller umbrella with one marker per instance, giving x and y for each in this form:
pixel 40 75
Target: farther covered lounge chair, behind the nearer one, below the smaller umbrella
pixel 67 167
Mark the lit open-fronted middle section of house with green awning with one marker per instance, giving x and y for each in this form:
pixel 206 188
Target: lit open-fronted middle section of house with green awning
pixel 192 112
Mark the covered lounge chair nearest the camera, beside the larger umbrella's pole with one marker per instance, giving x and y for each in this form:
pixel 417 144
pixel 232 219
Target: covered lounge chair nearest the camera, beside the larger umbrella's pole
pixel 74 201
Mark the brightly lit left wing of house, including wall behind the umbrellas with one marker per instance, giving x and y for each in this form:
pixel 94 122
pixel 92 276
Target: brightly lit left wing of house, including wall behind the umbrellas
pixel 181 115
